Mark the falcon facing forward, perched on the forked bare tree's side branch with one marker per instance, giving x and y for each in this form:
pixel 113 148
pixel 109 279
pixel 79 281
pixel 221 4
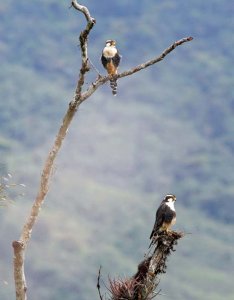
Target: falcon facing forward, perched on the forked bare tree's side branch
pixel 110 60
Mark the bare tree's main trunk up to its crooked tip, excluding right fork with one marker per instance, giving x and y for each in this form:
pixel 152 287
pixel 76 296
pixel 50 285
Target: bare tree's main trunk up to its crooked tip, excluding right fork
pixel 20 246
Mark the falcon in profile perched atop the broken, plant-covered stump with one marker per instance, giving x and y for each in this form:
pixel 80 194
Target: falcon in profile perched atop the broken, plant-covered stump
pixel 165 217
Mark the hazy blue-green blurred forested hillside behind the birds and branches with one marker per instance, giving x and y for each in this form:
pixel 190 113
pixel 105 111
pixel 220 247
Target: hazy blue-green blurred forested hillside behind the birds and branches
pixel 169 130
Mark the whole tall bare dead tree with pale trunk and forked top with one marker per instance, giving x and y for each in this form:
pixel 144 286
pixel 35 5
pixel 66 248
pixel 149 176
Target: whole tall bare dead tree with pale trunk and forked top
pixel 81 95
